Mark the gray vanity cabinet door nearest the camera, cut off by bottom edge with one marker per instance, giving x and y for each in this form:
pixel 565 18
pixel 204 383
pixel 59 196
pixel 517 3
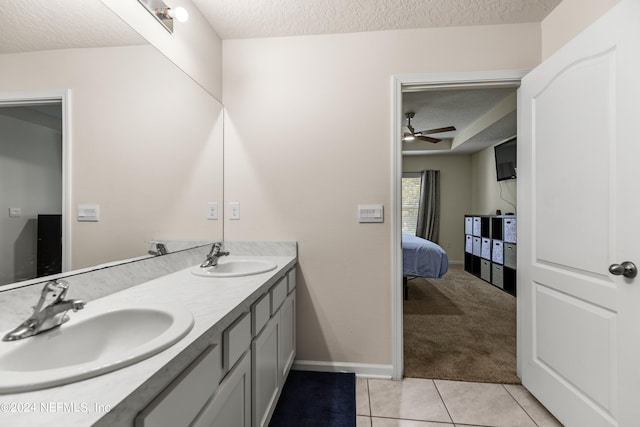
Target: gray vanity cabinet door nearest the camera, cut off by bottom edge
pixel 231 405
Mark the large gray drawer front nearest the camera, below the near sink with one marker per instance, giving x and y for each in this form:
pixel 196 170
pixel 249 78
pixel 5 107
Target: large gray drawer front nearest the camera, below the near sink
pixel 181 401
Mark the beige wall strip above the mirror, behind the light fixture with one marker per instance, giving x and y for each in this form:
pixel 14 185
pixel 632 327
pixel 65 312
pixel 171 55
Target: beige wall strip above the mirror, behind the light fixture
pixel 193 46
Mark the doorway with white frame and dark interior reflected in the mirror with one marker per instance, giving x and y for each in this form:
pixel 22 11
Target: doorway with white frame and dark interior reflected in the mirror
pixel 34 165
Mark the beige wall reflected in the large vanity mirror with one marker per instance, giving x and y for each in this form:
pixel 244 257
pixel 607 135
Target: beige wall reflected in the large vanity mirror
pixel 149 153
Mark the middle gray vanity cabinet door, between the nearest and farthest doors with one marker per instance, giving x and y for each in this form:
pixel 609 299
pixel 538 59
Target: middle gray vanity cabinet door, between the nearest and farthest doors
pixel 266 373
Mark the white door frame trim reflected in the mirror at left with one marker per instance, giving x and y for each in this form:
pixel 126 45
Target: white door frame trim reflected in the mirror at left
pixel 64 97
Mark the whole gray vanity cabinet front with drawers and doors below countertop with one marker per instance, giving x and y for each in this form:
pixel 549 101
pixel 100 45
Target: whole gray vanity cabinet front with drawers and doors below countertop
pixel 237 380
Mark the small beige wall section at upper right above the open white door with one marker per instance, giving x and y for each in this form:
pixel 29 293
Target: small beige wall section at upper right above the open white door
pixel 568 19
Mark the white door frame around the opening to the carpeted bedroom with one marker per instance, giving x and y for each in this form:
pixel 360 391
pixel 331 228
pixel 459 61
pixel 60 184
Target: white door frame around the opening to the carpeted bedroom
pixel 426 81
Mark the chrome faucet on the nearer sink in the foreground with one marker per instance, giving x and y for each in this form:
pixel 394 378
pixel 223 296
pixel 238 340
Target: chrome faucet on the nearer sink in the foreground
pixel 48 313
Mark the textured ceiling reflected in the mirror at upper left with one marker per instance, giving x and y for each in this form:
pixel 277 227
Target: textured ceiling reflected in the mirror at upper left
pixel 35 25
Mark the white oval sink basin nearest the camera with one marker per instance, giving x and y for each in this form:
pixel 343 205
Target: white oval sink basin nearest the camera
pixel 99 339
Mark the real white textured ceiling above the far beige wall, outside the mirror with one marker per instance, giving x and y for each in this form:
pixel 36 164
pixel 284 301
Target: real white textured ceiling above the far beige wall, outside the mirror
pixel 234 19
